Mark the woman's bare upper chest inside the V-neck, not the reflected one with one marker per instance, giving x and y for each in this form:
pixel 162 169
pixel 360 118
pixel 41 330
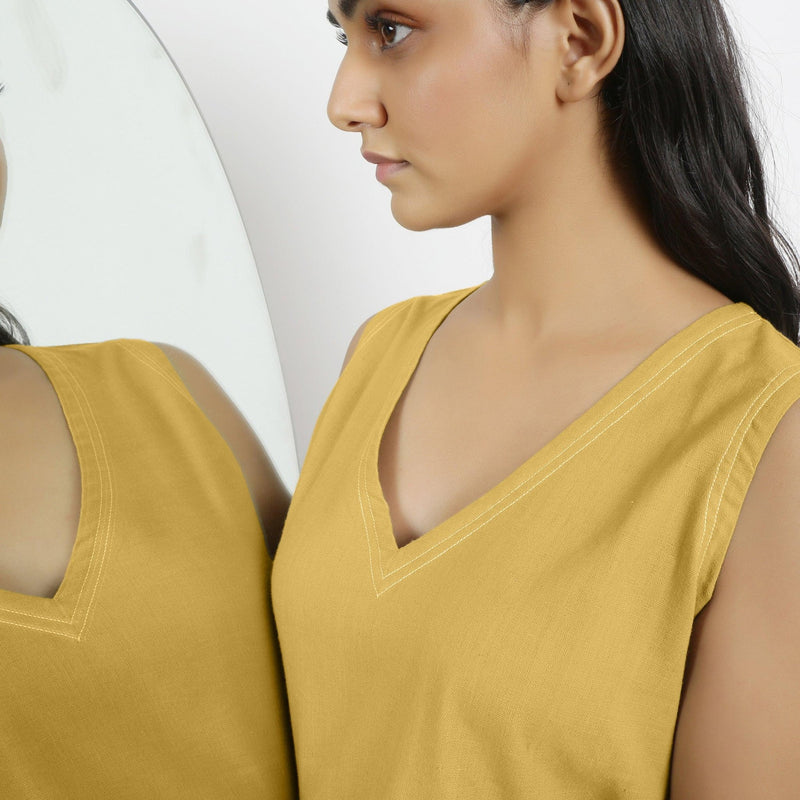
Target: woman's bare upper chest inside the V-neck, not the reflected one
pixel 463 424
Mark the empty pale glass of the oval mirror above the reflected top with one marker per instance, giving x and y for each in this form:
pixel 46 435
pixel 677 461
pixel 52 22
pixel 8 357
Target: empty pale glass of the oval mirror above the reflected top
pixel 119 220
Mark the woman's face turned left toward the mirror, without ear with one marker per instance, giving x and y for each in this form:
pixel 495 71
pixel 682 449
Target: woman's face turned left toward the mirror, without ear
pixel 440 84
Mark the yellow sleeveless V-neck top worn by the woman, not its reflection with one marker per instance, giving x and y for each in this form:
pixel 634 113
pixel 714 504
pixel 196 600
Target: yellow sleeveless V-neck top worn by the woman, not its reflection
pixel 533 644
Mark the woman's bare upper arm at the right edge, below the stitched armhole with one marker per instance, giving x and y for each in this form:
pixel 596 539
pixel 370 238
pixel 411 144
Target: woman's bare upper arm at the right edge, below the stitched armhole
pixel 738 734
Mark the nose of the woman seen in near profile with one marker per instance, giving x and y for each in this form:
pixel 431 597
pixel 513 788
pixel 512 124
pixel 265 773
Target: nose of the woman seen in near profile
pixel 354 103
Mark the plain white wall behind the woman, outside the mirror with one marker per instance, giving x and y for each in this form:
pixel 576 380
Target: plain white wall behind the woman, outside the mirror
pixel 328 251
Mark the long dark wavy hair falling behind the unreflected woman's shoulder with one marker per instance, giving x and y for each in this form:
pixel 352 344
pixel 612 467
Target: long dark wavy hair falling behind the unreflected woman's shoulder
pixel 679 127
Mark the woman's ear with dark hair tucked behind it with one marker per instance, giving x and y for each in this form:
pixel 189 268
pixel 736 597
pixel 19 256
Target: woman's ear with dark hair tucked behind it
pixel 594 35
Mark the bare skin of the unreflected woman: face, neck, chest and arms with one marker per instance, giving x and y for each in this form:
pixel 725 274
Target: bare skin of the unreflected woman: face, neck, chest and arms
pixel 581 293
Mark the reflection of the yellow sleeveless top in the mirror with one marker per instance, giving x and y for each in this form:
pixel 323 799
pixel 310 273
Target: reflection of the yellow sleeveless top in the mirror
pixel 154 671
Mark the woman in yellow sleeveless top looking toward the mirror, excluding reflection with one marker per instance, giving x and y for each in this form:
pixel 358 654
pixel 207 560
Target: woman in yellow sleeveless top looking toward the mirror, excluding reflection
pixel 496 574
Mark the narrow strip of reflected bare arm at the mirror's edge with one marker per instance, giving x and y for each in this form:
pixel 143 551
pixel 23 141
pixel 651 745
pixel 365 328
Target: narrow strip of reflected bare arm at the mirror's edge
pixel 270 496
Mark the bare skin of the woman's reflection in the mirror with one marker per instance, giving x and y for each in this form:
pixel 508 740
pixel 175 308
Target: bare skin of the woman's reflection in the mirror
pixel 39 461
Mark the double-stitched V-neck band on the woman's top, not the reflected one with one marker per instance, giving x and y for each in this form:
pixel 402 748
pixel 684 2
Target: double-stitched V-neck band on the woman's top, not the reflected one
pixel 391 563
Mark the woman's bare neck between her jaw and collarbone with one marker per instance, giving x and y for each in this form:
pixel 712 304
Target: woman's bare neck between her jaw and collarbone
pixel 575 254
